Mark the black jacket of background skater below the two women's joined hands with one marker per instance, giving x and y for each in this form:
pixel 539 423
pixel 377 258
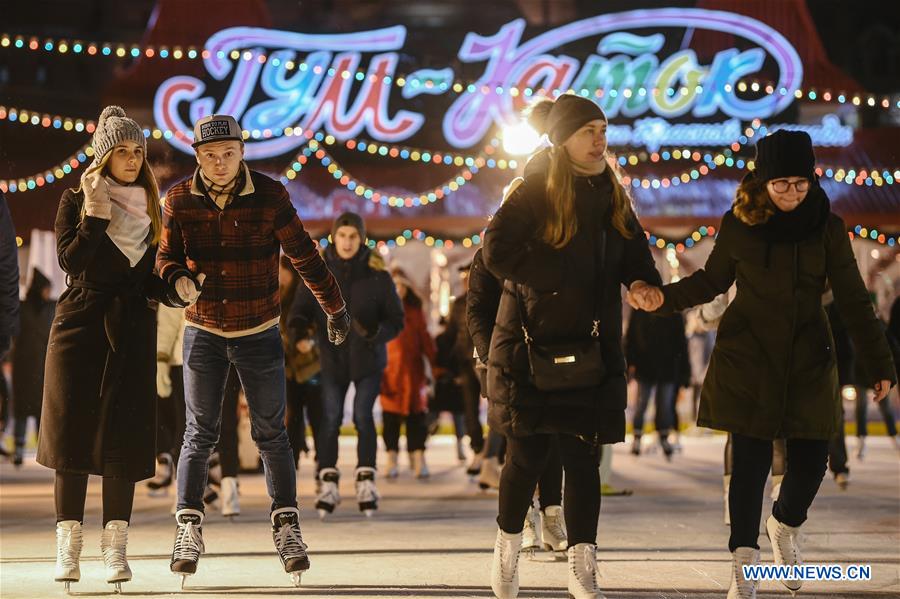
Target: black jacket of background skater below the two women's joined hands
pixel 656 347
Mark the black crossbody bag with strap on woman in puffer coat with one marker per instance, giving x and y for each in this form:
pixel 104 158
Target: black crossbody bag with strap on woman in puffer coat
pixel 567 365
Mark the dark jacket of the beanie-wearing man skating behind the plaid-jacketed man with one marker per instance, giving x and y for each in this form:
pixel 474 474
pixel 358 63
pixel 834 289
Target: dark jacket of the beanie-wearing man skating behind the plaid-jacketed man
pixel 374 306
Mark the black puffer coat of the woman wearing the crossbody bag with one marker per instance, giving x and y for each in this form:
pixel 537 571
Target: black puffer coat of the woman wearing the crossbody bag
pixel 558 289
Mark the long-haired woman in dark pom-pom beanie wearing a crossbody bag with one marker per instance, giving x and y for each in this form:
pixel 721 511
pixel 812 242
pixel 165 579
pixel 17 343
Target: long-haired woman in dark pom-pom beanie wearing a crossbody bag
pixel 563 243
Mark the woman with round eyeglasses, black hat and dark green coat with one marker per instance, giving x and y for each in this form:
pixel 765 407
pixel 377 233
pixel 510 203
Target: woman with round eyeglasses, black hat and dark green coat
pixel 772 374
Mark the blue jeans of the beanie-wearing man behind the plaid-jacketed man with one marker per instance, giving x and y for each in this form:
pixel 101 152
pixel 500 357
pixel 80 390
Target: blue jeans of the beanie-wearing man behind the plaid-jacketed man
pixel 334 390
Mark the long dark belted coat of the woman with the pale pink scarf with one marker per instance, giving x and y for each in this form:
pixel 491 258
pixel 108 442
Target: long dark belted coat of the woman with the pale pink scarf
pixel 100 376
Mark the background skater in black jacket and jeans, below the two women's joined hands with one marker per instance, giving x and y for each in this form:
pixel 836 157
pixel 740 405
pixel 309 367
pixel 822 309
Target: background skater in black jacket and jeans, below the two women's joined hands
pixel 657 357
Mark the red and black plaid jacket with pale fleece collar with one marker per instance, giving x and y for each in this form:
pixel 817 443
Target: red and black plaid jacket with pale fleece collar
pixel 237 248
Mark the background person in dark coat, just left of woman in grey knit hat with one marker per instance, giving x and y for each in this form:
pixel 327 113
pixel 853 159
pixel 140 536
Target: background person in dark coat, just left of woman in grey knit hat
pixel 28 356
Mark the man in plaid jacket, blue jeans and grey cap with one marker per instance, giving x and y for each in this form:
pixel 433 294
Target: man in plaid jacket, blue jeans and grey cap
pixel 222 229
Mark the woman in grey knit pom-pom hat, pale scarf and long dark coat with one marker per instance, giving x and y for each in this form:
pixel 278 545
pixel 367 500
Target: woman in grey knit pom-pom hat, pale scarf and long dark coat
pixel 99 405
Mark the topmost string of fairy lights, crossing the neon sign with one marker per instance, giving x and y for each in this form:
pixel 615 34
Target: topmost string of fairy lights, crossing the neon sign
pixel 189 53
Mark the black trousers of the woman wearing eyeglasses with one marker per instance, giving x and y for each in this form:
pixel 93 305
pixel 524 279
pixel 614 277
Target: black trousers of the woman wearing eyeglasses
pixel 805 467
